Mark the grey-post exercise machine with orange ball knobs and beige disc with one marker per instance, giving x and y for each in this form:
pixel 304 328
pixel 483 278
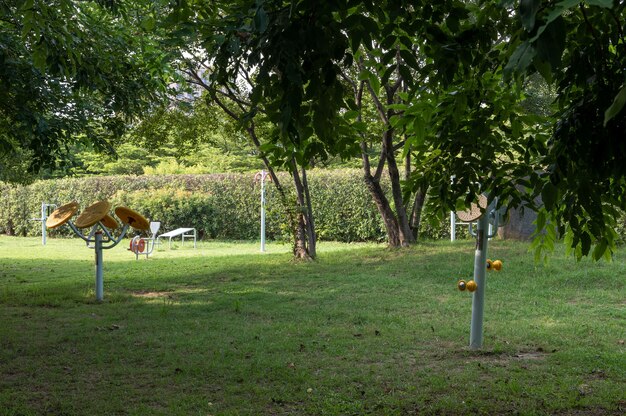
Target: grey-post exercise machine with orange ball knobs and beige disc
pixel 487 218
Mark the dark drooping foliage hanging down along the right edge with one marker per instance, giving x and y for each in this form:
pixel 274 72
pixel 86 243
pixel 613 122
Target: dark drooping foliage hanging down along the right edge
pixel 580 48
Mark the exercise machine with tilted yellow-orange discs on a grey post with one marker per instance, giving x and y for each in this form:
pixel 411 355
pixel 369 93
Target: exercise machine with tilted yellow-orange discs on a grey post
pixel 100 237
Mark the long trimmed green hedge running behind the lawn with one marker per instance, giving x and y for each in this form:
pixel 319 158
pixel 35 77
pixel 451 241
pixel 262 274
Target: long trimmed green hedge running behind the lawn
pixel 224 206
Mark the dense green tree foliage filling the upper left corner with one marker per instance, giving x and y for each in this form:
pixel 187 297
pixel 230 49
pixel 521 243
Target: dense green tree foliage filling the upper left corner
pixel 70 72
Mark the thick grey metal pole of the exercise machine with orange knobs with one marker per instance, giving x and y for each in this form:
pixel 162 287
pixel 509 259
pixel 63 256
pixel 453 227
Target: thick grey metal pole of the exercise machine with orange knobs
pixel 480 271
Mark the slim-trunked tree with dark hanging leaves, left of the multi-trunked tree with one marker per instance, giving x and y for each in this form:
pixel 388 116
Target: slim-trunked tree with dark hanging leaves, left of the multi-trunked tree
pixel 249 82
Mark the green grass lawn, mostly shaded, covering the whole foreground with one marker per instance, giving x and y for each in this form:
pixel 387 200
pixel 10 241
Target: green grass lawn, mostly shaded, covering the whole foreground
pixel 226 330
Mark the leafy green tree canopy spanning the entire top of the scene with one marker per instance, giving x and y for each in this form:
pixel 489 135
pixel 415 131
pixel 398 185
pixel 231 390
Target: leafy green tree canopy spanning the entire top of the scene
pixel 74 70
